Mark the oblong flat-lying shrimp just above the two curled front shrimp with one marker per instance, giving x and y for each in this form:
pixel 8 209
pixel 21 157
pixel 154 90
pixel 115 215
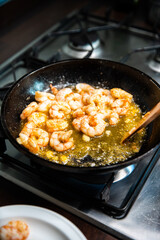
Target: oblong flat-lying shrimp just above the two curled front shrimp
pixel 56 125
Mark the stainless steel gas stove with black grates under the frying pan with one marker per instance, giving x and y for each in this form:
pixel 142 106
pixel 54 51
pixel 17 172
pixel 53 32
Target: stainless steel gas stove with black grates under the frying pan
pixel 127 204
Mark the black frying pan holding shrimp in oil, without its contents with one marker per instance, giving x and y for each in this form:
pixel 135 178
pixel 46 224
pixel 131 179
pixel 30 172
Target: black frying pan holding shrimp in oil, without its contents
pixel 102 73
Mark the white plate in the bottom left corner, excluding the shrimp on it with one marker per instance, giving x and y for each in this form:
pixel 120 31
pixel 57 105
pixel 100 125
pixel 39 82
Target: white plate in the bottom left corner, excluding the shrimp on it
pixel 43 224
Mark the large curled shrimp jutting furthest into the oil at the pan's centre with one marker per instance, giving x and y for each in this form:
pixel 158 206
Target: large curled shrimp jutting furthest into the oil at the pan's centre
pixel 92 126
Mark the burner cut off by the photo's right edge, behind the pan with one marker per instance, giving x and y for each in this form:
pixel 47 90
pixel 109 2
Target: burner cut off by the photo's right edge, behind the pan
pixel 154 61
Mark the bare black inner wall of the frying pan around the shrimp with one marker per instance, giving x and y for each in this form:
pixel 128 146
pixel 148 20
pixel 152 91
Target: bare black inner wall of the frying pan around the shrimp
pixel 100 73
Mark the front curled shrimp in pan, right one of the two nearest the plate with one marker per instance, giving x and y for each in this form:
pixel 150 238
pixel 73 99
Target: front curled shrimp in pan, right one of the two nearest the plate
pixel 61 141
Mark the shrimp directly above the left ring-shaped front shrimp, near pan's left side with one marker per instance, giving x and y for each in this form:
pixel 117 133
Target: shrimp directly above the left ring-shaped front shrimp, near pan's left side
pixel 38 118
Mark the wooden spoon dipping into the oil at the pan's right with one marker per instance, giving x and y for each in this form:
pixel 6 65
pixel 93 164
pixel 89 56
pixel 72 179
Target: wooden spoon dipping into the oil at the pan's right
pixel 147 118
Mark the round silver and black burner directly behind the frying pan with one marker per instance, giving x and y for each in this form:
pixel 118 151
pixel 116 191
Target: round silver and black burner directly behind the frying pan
pixel 81 44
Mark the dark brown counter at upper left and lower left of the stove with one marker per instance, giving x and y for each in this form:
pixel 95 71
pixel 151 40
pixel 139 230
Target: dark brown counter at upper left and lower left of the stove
pixel 14 36
